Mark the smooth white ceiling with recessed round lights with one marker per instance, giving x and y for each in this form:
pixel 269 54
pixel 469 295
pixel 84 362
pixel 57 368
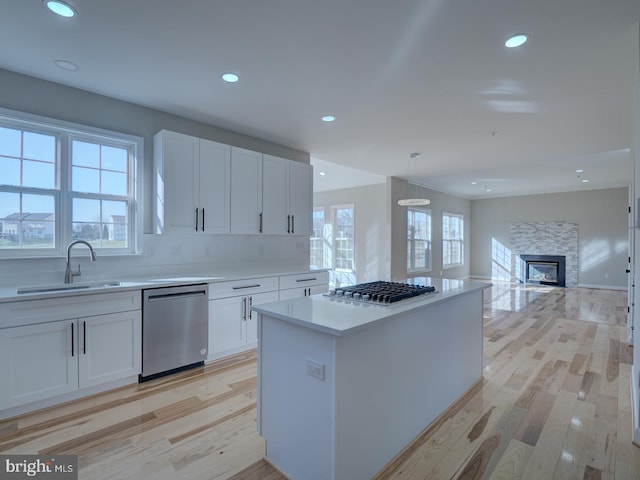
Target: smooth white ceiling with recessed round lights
pixel 429 76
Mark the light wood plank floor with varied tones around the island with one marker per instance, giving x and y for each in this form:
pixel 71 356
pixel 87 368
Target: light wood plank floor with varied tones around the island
pixel 555 403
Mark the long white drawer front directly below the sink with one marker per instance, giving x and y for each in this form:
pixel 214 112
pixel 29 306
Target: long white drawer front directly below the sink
pixel 29 312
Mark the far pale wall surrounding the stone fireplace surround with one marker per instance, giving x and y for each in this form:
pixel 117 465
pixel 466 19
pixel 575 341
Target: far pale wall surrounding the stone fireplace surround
pixel 602 217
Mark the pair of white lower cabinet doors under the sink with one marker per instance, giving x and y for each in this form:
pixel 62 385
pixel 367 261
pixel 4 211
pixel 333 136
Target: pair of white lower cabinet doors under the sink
pixel 48 359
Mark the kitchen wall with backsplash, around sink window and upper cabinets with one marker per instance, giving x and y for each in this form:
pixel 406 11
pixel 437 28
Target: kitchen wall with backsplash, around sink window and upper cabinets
pixel 161 254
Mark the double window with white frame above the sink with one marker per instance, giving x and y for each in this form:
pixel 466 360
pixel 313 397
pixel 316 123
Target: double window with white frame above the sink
pixel 61 182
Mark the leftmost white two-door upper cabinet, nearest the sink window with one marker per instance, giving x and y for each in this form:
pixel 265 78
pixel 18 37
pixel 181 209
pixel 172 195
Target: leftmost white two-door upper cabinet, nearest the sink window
pixel 192 191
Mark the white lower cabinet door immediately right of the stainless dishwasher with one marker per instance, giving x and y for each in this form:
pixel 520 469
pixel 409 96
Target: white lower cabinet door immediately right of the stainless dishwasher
pixel 226 324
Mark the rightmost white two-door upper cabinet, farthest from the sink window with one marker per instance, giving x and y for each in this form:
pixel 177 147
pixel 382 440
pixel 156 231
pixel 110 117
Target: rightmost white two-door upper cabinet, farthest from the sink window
pixel 286 197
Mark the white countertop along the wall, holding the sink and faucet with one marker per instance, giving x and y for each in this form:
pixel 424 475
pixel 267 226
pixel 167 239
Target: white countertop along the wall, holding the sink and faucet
pixel 10 294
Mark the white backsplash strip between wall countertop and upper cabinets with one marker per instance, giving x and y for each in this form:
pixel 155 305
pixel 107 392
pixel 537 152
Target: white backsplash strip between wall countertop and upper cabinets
pixel 169 255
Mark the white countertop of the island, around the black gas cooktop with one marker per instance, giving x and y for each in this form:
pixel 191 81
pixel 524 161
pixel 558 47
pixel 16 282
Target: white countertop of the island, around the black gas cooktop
pixel 341 316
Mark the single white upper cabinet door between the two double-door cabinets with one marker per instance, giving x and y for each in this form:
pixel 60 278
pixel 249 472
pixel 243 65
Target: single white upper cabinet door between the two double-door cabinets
pixel 246 191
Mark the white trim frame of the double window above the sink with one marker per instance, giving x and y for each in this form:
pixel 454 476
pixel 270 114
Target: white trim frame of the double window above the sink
pixel 52 125
